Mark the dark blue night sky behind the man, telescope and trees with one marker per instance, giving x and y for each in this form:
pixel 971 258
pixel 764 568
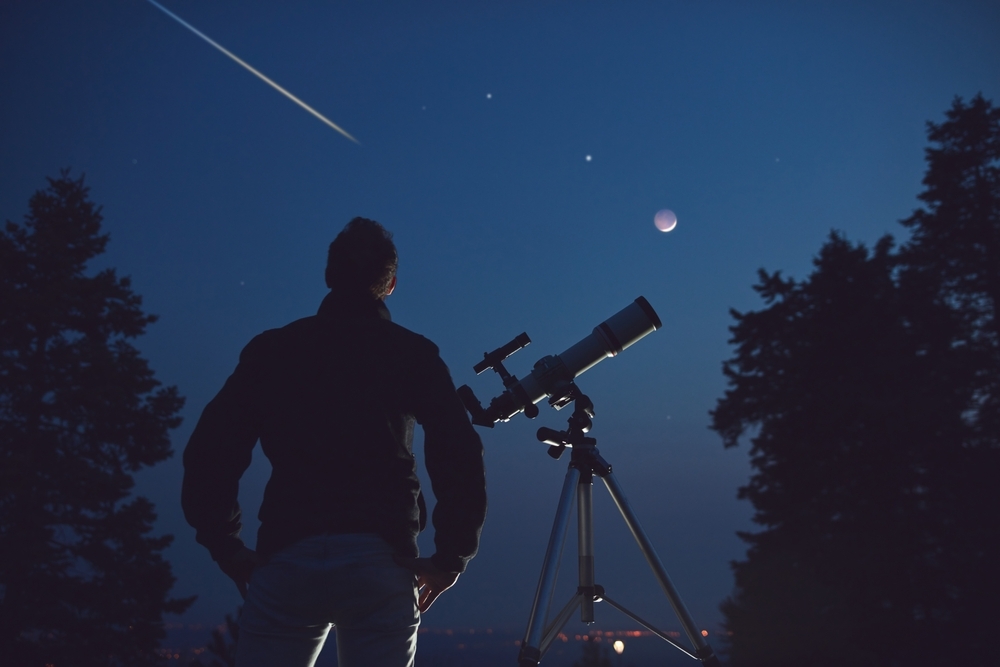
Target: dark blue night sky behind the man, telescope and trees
pixel 763 125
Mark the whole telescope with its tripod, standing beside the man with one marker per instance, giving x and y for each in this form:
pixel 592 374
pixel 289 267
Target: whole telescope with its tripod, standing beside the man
pixel 553 377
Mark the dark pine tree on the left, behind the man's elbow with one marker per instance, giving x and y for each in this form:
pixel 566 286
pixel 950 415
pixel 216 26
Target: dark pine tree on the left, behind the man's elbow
pixel 81 579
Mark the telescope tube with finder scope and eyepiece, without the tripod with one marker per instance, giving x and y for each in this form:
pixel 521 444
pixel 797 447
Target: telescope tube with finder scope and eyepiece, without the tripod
pixel 553 376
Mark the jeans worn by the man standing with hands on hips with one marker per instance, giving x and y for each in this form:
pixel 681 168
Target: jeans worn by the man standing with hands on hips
pixel 349 582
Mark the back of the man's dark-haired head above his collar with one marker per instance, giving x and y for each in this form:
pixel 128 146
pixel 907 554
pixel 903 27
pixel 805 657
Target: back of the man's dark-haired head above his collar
pixel 362 258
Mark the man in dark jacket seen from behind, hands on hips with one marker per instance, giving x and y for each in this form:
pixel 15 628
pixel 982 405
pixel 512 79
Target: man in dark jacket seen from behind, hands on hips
pixel 333 399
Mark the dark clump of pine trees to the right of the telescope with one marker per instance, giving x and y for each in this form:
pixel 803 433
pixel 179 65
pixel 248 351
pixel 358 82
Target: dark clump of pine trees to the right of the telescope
pixel 869 394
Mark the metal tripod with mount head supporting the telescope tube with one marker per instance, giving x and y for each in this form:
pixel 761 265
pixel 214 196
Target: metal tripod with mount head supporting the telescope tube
pixel 585 462
